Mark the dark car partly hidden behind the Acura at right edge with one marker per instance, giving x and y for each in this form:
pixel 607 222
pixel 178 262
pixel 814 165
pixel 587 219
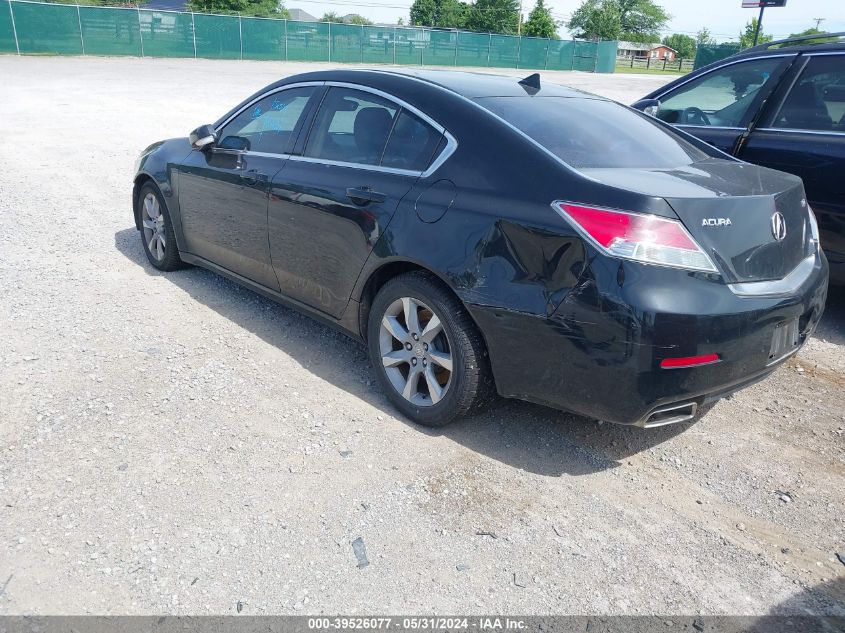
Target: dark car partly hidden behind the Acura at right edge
pixel 780 105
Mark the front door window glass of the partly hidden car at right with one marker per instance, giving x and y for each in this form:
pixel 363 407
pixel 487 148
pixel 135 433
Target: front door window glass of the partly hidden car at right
pixel 720 98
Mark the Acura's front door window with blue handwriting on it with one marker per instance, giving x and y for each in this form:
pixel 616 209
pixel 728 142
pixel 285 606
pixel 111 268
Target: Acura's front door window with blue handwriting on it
pixel 268 125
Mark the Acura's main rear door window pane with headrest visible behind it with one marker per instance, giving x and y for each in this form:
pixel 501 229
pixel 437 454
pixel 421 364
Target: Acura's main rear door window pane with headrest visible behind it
pixel 351 126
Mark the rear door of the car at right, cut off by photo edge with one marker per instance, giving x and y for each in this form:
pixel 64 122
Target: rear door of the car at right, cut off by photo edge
pixel 803 133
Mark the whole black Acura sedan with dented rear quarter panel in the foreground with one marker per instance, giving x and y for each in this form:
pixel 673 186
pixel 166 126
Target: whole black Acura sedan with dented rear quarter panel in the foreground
pixel 483 234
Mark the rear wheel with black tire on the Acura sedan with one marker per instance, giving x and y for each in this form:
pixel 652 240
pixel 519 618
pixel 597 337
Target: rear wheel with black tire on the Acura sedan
pixel 427 353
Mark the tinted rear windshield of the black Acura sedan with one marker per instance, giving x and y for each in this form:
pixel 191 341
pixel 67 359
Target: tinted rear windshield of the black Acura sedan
pixel 593 133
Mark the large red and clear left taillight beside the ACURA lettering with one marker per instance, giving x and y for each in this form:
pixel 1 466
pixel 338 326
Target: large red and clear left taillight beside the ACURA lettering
pixel 644 238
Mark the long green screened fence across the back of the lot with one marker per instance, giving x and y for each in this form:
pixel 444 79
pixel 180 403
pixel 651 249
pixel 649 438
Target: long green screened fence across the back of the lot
pixel 65 29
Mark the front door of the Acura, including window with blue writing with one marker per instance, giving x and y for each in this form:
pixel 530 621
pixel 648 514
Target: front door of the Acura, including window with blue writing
pixel 223 191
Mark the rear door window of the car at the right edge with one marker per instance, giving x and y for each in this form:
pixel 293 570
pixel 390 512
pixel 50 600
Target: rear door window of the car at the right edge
pixel 817 100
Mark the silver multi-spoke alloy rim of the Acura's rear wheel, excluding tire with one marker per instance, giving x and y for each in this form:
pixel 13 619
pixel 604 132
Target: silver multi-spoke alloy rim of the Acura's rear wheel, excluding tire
pixel 415 352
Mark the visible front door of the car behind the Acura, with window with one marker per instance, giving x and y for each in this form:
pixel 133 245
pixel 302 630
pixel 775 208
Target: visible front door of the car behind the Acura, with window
pixel 717 106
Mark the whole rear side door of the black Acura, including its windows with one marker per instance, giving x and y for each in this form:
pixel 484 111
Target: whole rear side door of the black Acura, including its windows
pixel 330 205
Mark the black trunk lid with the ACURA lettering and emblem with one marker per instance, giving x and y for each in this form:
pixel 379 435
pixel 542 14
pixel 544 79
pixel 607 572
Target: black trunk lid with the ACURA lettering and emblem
pixel 730 208
